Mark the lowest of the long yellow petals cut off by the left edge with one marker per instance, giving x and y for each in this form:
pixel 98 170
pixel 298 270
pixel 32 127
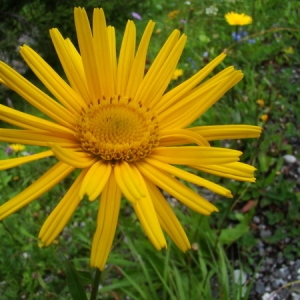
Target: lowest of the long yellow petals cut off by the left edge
pixel 47 181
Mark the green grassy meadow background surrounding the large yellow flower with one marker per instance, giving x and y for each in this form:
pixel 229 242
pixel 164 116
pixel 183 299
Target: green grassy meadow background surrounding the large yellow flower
pixel 269 57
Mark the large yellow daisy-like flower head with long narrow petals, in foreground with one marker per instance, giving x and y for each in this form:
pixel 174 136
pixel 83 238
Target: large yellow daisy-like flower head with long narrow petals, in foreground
pixel 124 132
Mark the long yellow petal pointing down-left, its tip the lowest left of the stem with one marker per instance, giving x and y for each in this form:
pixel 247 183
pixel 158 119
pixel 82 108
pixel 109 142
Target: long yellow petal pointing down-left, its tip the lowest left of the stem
pixel 62 213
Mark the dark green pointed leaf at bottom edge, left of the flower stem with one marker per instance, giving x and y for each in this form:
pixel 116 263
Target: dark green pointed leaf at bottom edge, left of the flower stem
pixel 74 283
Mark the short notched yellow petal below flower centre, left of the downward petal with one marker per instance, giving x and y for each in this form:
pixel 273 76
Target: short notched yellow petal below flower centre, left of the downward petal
pixel 95 180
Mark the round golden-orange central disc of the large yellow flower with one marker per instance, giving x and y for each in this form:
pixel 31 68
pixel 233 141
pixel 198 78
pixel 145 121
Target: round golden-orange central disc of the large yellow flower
pixel 117 129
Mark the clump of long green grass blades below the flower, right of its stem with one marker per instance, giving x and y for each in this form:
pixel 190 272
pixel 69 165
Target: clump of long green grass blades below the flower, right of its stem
pixel 202 273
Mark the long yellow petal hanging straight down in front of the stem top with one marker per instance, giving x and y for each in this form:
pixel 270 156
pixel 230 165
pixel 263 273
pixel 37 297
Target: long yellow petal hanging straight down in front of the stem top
pixel 106 223
